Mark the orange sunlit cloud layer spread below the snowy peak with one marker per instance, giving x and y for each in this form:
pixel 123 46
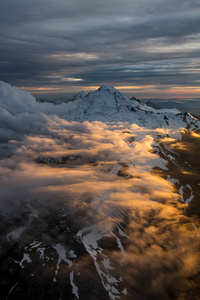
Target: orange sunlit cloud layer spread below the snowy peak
pixel 90 185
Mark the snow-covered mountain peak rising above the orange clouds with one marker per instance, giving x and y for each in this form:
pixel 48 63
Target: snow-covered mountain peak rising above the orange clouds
pixel 107 104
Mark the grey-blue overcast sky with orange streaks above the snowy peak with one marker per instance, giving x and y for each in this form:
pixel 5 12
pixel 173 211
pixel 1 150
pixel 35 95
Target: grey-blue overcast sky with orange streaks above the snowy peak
pixel 147 48
